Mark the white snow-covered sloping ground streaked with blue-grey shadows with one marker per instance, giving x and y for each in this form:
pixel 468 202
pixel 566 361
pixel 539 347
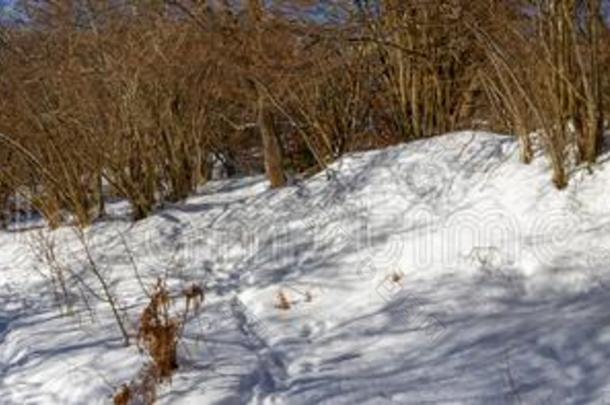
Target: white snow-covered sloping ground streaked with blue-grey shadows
pixel 438 272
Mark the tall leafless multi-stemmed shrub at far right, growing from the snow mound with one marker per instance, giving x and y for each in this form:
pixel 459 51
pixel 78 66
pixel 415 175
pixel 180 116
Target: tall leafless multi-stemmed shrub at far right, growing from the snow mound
pixel 550 58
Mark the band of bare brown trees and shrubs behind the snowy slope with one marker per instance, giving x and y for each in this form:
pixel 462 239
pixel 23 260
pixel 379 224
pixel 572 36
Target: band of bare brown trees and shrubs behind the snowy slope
pixel 137 99
